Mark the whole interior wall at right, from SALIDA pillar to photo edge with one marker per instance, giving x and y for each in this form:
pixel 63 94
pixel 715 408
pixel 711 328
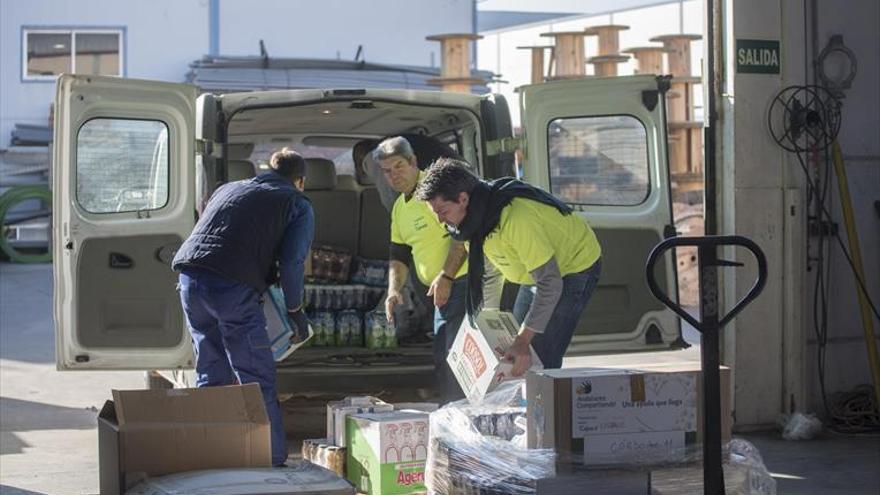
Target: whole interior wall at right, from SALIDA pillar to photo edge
pixel 772 344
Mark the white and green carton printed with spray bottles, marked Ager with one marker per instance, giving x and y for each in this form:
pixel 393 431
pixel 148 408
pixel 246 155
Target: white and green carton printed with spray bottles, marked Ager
pixel 387 452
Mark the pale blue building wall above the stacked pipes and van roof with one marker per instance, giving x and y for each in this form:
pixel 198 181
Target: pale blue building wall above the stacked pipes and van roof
pixel 390 31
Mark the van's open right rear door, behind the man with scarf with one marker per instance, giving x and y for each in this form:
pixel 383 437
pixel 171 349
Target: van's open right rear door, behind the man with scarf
pixel 600 145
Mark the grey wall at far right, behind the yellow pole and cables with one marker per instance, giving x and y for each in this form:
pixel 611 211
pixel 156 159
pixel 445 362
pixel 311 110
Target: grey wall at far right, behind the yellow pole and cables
pixel 847 362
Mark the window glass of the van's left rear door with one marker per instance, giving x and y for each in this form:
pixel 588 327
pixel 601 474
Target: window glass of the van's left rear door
pixel 122 165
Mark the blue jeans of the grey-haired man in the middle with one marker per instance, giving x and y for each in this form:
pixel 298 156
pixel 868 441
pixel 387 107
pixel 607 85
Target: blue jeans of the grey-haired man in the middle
pixel 447 320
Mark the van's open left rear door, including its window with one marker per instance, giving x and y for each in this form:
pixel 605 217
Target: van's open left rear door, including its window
pixel 123 203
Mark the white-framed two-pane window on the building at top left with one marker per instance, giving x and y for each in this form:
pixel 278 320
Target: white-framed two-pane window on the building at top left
pixel 49 53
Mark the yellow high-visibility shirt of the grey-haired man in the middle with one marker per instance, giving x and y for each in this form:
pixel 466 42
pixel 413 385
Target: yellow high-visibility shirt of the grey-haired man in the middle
pixel 414 224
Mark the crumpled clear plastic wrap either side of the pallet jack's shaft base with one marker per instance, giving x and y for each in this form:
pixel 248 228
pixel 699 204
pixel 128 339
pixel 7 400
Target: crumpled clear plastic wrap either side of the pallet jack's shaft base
pixel 744 474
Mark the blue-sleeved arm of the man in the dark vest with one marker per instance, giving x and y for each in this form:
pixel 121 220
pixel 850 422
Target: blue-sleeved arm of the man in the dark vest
pixel 295 247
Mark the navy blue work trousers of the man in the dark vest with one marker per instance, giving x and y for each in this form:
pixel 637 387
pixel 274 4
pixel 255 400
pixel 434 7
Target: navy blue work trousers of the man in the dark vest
pixel 230 342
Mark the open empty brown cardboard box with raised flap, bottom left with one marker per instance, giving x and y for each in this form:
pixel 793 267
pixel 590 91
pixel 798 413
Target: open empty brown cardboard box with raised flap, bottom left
pixel 156 432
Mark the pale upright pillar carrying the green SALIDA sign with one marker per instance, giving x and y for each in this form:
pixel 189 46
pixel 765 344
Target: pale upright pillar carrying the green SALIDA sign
pixel 751 172
